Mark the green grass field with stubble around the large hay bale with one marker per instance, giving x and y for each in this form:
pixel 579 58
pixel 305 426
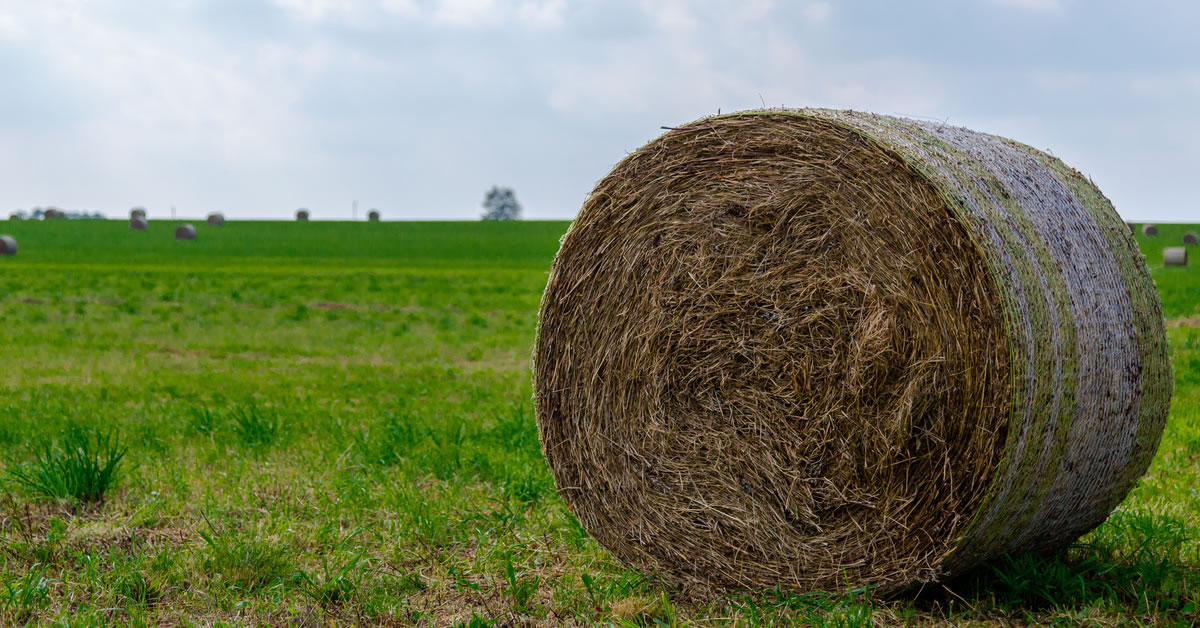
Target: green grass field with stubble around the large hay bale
pixel 332 423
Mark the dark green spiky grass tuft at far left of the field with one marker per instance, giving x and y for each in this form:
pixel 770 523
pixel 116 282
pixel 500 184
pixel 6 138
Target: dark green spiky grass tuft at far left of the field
pixel 82 468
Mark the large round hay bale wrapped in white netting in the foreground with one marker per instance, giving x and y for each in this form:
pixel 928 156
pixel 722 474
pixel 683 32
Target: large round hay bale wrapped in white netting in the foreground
pixel 818 350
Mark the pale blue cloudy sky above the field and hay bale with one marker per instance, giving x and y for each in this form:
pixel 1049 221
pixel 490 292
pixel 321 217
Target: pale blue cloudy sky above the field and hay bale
pixel 417 107
